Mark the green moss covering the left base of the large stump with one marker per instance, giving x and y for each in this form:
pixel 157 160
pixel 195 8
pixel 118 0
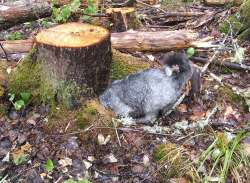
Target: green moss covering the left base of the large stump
pixel 30 76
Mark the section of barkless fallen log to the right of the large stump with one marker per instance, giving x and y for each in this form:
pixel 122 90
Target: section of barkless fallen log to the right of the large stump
pixel 154 41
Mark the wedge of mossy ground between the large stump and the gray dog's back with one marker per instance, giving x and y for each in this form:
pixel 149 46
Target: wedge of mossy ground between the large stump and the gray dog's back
pixel 123 65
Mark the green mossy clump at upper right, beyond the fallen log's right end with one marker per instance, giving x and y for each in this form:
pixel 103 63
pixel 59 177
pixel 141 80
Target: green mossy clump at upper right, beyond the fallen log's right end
pixel 234 21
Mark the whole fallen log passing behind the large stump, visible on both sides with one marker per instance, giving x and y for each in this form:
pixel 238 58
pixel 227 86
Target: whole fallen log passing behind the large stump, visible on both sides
pixel 139 41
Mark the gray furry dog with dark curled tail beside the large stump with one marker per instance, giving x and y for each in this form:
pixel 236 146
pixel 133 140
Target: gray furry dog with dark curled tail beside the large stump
pixel 146 94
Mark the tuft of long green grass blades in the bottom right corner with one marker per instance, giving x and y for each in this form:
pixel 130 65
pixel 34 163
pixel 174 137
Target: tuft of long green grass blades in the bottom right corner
pixel 226 156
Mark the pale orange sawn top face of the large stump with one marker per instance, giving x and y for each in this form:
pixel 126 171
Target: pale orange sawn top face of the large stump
pixel 72 35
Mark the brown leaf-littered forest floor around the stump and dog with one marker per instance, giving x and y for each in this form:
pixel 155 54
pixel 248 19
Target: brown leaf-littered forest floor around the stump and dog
pixel 120 153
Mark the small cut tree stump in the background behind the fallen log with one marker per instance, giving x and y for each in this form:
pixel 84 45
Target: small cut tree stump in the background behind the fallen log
pixel 123 18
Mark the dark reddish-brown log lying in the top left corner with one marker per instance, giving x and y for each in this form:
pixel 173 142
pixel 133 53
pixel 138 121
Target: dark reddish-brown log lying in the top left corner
pixel 13 14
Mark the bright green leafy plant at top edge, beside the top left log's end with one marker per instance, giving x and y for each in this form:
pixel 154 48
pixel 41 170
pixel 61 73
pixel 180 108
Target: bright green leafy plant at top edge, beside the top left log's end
pixel 62 14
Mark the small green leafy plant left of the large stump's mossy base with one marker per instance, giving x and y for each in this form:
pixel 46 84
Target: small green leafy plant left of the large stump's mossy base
pixel 18 104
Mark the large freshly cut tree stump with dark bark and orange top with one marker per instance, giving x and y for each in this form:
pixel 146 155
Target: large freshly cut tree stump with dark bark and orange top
pixel 76 53
